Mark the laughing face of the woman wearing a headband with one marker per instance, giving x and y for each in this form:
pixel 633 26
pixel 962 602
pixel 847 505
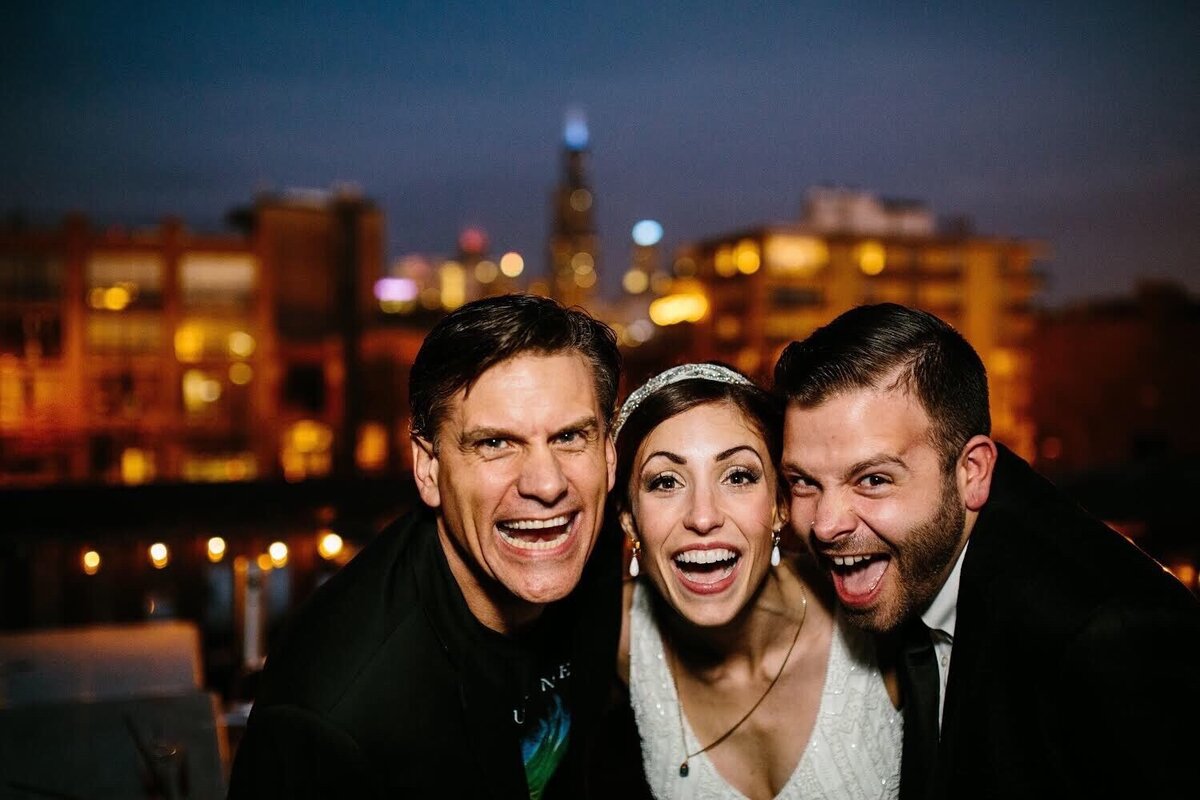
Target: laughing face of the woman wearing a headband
pixel 704 504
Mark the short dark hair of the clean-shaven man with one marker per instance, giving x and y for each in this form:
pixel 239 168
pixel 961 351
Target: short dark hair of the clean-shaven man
pixel 481 335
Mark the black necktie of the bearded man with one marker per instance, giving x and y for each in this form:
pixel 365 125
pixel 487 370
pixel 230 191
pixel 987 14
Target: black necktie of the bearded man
pixel 921 685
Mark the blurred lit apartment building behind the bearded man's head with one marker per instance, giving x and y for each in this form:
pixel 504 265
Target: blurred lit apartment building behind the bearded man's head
pixel 769 286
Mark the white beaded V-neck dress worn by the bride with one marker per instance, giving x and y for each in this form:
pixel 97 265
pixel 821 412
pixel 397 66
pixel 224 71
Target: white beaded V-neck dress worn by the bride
pixel 854 753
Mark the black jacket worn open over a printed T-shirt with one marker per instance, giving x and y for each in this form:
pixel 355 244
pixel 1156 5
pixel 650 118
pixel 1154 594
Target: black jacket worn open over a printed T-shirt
pixel 380 687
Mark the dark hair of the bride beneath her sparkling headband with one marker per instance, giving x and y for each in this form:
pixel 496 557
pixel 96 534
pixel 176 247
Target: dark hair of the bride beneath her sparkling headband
pixel 761 410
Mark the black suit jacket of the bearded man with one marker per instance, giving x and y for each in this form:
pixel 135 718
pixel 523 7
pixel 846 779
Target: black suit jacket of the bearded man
pixel 1076 670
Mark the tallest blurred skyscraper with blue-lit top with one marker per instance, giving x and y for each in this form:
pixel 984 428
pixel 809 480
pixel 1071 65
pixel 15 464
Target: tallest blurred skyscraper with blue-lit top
pixel 573 236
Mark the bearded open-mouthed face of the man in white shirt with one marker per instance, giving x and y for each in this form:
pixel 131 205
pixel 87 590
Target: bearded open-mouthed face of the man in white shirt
pixel 871 494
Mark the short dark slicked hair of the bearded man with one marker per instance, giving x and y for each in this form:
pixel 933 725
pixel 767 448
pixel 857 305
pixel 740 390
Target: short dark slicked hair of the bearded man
pixel 868 345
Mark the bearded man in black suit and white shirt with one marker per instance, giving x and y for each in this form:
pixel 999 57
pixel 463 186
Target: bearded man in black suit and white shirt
pixel 1041 654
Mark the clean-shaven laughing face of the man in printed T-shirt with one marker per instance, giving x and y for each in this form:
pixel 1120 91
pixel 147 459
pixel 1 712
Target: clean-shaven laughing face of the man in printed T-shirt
pixel 519 477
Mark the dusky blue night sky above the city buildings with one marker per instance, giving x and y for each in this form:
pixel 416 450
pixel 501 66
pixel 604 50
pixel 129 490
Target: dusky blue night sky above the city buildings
pixel 1076 124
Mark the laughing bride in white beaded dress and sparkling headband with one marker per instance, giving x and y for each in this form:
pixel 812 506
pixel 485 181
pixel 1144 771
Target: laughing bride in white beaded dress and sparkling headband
pixel 743 681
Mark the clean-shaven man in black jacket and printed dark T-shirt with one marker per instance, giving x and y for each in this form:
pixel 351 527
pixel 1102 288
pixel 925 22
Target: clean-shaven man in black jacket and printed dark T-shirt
pixel 467 651
